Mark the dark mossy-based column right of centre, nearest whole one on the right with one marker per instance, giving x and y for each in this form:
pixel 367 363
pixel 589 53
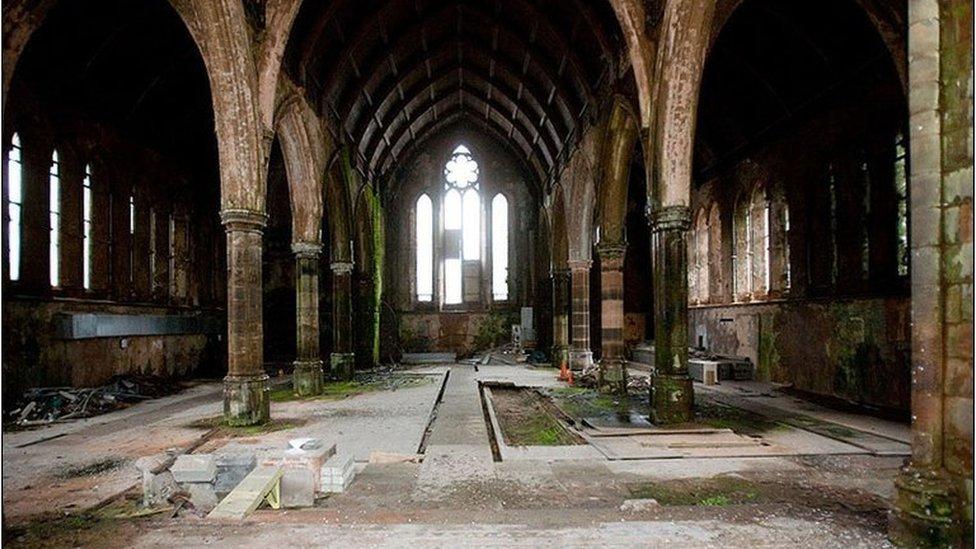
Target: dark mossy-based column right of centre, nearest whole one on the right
pixel 672 396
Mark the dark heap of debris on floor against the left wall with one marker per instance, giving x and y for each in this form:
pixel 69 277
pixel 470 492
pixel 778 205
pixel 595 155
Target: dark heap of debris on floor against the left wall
pixel 44 405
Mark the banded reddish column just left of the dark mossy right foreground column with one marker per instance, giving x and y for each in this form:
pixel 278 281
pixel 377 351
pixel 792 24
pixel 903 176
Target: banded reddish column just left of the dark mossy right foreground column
pixel 613 366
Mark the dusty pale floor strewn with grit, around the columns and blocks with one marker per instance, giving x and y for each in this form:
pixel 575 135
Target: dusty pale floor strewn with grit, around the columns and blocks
pixel 458 494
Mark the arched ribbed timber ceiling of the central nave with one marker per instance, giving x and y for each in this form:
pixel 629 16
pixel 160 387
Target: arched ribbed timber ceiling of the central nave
pixel 391 73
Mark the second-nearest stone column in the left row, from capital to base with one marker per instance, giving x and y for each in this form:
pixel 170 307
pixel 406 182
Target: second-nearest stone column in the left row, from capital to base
pixel 307 379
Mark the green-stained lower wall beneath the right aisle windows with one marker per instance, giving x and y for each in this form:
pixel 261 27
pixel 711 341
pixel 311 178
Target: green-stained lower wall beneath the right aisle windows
pixel 854 349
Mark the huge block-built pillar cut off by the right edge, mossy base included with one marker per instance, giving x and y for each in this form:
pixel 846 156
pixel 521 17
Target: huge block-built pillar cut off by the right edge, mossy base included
pixel 934 492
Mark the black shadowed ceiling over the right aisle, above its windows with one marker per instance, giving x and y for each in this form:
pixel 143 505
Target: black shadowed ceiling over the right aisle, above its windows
pixel 776 63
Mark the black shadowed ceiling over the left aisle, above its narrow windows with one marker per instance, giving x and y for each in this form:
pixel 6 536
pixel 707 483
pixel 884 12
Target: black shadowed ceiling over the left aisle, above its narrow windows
pixel 130 64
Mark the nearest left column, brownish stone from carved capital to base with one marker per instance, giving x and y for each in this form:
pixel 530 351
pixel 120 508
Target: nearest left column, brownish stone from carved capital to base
pixel 246 385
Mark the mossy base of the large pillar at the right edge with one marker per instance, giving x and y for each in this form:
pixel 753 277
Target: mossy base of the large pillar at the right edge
pixel 925 514
